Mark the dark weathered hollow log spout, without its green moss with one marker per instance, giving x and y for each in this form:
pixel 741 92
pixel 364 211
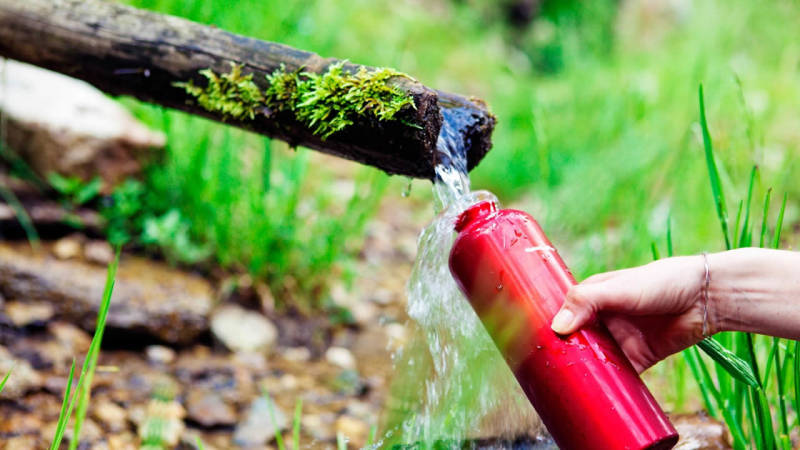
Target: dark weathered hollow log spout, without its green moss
pixel 127 51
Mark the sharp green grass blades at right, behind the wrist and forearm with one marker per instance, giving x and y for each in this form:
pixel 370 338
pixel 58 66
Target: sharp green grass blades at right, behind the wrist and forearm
pixel 738 391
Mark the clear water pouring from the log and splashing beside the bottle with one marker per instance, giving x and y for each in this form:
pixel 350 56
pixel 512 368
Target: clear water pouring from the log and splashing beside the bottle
pixel 451 383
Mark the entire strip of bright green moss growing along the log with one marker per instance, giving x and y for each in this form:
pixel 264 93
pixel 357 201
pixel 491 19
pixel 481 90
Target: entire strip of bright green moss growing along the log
pixel 326 103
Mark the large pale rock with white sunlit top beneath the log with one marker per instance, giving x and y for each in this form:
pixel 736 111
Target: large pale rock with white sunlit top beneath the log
pixel 63 125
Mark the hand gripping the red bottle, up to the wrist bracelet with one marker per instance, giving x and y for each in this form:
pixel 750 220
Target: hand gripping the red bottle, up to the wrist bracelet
pixel 652 311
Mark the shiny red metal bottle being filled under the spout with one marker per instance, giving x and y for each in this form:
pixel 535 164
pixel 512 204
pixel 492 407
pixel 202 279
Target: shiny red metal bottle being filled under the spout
pixel 583 387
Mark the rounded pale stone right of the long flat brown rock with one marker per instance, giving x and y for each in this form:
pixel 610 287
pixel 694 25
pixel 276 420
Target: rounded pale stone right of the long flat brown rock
pixel 241 330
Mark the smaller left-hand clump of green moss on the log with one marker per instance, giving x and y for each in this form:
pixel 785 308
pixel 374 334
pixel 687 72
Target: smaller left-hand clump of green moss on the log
pixel 230 94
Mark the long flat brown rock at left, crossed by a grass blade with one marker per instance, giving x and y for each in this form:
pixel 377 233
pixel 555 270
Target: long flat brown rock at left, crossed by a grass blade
pixel 148 297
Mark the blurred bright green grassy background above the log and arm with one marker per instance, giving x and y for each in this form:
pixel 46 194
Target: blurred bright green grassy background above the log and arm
pixel 598 132
